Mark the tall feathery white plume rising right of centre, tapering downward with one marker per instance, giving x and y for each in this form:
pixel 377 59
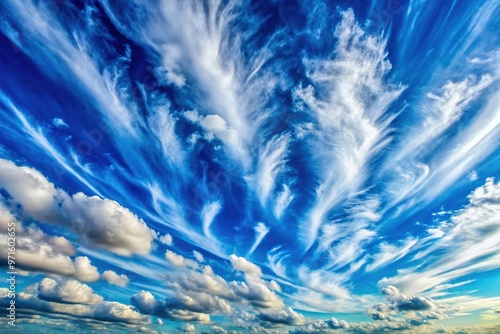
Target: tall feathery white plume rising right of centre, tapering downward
pixel 348 100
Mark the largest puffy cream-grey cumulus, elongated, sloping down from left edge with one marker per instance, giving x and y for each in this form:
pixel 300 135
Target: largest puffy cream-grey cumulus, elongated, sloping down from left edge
pixel 102 222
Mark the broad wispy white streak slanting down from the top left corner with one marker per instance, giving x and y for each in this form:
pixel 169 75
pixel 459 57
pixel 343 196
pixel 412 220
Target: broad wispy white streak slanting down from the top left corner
pixel 69 57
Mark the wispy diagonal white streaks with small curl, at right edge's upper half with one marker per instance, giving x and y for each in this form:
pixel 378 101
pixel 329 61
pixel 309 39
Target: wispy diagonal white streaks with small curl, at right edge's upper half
pixel 415 183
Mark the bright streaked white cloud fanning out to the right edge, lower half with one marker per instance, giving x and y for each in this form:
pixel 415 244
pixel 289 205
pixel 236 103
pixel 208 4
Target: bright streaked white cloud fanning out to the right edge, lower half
pixel 471 233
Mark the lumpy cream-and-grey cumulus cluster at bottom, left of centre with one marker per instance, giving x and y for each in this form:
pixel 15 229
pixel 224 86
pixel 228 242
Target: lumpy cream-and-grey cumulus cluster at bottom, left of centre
pixel 199 293
